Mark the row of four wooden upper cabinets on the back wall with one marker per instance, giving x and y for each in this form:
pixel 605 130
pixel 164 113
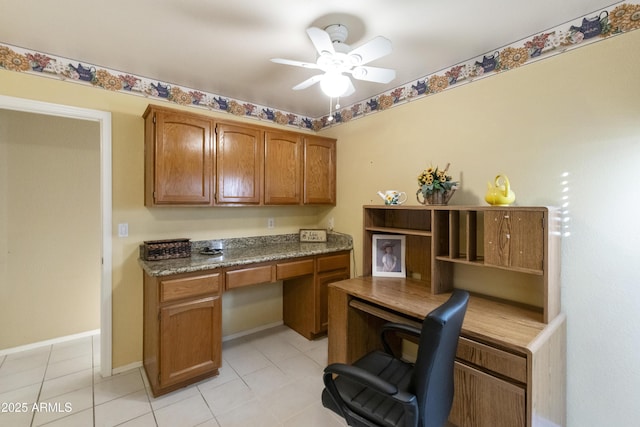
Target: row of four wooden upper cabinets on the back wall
pixel 195 160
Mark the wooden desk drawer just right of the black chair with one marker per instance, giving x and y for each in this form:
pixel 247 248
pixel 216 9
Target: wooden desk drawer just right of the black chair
pixel 492 359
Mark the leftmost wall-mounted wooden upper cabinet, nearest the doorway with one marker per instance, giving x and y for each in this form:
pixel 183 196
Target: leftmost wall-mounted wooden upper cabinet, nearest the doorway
pixel 178 158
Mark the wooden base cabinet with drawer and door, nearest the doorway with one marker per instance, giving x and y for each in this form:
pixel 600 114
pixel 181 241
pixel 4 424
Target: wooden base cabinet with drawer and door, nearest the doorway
pixel 183 329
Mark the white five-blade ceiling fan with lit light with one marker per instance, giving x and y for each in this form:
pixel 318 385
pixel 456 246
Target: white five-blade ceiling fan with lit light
pixel 337 59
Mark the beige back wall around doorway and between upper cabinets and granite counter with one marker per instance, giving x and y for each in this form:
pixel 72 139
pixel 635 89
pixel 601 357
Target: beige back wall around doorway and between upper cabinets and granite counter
pixel 243 310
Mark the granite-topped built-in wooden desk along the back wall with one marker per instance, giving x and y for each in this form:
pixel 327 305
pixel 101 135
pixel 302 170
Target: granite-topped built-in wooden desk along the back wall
pixel 182 298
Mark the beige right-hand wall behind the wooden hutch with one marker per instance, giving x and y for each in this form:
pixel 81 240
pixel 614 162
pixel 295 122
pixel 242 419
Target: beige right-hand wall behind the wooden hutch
pixel 577 113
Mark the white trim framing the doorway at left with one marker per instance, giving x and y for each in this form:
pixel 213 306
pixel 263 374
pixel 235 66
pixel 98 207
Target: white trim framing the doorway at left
pixel 104 119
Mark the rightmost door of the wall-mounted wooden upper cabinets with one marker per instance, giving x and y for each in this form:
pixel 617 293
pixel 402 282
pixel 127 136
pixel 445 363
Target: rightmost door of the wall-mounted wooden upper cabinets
pixel 319 171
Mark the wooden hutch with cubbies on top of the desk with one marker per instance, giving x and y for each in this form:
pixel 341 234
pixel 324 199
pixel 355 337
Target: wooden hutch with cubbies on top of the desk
pixel 521 240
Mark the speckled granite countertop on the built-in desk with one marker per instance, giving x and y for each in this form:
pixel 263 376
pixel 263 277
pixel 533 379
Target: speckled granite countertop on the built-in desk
pixel 247 250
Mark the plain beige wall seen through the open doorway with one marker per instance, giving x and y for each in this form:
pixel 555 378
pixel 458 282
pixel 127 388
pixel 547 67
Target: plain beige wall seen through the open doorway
pixel 50 233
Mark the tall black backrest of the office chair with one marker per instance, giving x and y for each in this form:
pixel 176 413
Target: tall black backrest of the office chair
pixel 433 373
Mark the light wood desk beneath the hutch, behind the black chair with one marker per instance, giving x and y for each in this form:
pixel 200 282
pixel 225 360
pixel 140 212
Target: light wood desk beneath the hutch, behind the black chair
pixel 510 367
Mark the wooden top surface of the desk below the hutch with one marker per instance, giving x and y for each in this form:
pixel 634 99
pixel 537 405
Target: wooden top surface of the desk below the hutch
pixel 498 323
